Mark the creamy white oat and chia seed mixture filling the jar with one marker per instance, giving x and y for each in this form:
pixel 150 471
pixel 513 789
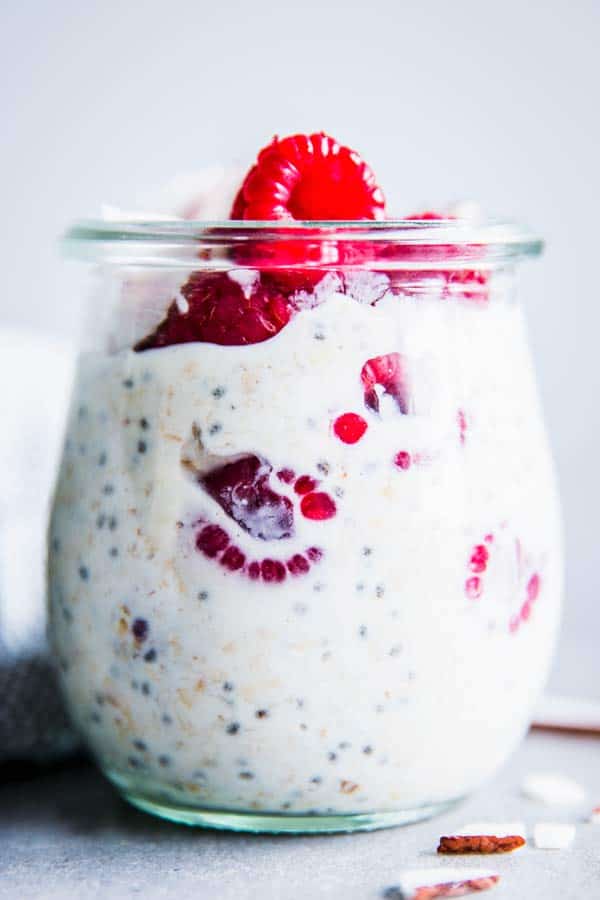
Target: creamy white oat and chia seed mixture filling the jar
pixel 381 679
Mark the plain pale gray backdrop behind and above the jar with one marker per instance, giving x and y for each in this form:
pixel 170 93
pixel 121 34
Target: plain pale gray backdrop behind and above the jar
pixel 494 101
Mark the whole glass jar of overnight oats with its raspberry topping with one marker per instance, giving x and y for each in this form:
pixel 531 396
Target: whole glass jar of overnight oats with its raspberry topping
pixel 305 556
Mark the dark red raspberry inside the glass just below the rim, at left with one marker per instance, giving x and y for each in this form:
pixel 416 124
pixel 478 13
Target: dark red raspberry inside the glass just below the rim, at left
pixel 221 311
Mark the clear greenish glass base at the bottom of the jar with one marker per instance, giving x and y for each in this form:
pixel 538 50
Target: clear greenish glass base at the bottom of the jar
pixel 284 823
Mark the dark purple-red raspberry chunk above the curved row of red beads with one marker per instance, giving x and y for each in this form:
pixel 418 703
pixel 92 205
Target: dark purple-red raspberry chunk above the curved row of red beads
pixel 242 490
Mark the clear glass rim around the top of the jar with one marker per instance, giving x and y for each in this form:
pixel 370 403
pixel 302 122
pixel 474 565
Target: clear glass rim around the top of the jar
pixel 130 241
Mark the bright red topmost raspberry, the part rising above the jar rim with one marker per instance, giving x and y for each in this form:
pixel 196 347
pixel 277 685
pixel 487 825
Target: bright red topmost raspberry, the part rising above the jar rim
pixel 308 177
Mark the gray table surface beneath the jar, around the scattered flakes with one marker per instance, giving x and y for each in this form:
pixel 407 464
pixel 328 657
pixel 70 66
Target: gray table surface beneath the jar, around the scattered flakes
pixel 66 834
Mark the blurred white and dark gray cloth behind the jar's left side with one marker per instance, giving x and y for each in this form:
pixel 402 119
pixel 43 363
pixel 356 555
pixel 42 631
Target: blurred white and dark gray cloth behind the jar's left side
pixel 35 374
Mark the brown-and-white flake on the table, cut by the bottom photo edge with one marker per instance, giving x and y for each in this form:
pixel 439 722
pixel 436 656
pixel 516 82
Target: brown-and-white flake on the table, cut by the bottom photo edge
pixel 428 884
